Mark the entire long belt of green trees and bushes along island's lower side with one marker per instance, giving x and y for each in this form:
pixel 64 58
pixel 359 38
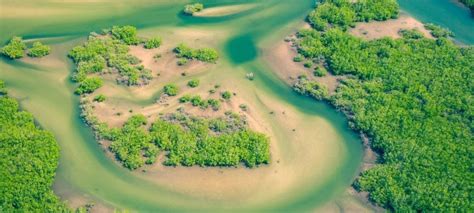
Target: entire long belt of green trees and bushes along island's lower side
pixel 188 141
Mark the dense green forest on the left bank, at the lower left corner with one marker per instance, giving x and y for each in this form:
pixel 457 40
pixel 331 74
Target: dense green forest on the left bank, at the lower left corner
pixel 28 161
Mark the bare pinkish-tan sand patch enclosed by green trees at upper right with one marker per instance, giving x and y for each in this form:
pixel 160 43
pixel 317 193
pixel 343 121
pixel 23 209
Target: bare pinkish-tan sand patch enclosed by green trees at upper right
pixel 390 28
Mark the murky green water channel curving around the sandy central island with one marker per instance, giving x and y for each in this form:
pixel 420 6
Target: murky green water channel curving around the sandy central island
pixel 43 88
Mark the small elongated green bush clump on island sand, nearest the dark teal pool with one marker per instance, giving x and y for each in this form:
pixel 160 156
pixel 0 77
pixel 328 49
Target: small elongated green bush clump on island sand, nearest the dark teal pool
pixel 204 54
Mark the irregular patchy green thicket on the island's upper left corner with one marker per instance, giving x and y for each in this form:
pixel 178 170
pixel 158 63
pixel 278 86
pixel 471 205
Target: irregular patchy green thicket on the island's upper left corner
pixel 109 54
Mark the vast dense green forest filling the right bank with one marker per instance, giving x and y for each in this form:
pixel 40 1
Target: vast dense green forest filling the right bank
pixel 413 98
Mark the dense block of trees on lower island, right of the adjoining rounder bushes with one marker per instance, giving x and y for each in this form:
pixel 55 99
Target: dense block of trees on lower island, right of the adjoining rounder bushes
pixel 216 142
